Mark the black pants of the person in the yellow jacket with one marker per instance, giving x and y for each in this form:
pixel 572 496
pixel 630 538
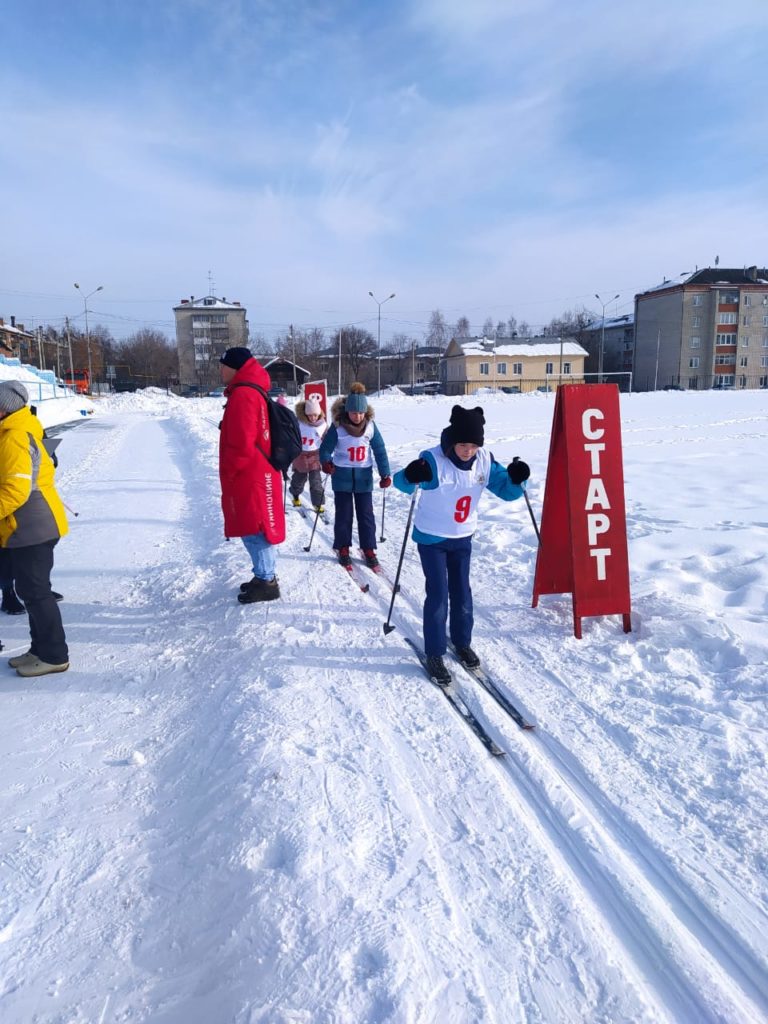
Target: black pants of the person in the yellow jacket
pixel 32 567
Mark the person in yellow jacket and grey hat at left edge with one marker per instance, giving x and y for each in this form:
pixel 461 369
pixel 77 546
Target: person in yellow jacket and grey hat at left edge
pixel 32 521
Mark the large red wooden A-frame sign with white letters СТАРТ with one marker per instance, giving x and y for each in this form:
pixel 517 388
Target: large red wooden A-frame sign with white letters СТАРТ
pixel 583 548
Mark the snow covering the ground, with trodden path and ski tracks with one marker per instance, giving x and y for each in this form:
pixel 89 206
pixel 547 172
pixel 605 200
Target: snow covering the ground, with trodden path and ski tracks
pixel 266 815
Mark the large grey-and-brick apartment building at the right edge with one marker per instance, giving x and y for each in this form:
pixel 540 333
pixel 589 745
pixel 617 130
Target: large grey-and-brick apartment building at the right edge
pixel 708 329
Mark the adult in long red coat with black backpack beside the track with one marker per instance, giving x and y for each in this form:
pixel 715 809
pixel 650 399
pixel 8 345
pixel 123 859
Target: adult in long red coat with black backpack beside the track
pixel 251 489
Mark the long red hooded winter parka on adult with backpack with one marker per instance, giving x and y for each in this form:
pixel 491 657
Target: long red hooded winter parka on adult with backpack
pixel 251 490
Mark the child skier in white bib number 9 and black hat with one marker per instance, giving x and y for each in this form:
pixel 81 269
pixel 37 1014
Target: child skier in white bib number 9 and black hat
pixel 452 478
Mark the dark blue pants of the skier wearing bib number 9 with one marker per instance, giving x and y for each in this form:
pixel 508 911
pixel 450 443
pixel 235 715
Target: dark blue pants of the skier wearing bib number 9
pixel 446 568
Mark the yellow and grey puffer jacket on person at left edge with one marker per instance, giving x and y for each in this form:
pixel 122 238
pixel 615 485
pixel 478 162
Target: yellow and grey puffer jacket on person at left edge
pixel 31 511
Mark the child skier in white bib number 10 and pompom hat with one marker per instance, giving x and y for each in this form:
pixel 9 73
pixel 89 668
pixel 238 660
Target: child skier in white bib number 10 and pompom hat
pixel 349 452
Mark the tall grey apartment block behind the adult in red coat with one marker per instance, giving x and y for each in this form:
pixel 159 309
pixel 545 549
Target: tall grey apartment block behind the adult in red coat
pixel 205 329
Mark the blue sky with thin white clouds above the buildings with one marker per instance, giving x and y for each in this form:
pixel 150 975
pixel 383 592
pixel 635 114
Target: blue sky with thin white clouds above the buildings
pixel 488 159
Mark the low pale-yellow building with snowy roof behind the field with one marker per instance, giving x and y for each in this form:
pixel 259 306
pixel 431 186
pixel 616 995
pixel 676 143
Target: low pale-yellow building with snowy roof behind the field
pixel 511 365
